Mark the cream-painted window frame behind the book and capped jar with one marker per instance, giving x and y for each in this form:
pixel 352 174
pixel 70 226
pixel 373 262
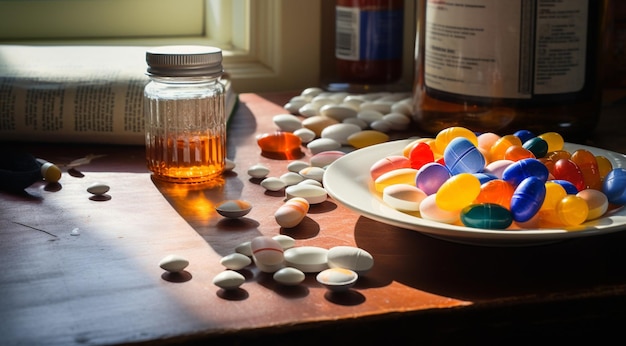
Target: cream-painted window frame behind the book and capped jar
pixel 272 57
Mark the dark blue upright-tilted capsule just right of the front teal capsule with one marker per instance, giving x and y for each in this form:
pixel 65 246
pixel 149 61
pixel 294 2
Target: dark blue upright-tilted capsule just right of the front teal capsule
pixel 527 199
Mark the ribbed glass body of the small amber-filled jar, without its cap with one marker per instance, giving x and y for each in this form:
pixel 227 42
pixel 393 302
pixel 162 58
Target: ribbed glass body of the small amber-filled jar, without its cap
pixel 186 141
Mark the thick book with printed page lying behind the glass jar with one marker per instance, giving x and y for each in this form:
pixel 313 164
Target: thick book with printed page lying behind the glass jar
pixel 90 94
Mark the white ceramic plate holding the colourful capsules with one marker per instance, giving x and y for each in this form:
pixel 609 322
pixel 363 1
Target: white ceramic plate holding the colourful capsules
pixel 347 180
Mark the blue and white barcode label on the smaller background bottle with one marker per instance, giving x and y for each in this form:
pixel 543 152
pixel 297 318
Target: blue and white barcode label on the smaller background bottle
pixel 368 34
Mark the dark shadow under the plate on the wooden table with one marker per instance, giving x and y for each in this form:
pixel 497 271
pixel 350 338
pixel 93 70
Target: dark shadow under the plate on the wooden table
pixel 476 273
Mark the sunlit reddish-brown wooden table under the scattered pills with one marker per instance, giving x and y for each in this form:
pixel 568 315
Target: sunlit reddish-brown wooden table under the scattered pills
pixel 104 286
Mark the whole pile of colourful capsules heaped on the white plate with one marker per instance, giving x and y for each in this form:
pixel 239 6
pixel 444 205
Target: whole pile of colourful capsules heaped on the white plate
pixel 516 181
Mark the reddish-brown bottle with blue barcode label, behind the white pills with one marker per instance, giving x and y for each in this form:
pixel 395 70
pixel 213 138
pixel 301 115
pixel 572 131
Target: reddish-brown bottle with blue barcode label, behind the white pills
pixel 368 40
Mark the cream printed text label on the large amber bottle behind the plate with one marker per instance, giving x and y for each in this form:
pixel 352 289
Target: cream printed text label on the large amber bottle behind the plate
pixel 507 49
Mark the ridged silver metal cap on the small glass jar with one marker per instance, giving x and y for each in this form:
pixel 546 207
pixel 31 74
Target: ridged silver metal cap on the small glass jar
pixel 184 61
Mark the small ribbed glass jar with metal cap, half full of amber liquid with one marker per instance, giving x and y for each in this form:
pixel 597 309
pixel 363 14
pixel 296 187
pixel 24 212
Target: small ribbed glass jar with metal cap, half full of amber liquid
pixel 184 114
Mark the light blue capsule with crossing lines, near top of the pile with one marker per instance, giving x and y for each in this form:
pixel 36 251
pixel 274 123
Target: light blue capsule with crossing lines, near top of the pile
pixel 462 156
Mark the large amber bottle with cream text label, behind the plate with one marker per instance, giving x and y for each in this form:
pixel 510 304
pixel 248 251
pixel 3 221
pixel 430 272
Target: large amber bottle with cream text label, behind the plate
pixel 505 65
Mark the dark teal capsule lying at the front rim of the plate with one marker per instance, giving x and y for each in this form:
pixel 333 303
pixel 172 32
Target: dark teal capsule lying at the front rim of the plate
pixel 486 215
